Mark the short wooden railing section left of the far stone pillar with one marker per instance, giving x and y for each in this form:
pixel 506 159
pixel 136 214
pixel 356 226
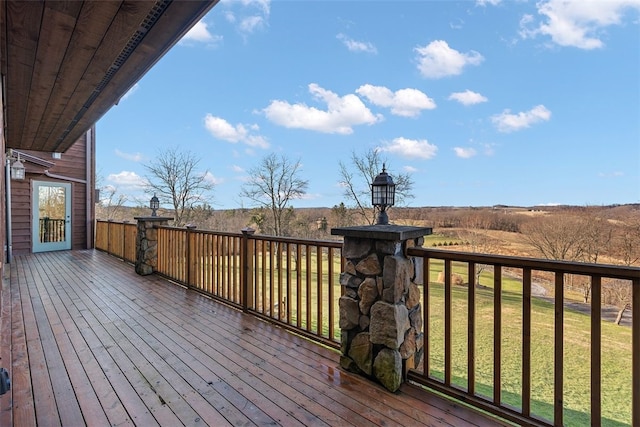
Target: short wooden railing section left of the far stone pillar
pixel 117 238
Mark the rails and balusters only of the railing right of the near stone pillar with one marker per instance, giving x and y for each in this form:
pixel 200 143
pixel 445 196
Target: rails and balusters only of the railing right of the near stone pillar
pixel 596 272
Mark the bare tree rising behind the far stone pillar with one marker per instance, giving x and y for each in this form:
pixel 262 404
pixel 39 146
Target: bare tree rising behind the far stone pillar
pixel 175 179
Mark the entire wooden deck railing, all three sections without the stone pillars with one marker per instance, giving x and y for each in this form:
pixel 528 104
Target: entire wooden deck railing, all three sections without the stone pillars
pixel 295 283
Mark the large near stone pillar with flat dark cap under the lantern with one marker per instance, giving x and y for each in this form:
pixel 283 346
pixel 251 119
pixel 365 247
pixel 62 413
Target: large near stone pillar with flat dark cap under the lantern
pixel 380 312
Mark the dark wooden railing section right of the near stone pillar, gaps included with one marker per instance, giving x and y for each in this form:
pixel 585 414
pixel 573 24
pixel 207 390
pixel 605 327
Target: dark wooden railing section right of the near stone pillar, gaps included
pixel 505 342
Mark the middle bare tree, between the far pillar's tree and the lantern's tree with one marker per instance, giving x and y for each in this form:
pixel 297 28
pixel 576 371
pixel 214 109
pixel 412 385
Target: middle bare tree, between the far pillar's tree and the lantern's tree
pixel 271 186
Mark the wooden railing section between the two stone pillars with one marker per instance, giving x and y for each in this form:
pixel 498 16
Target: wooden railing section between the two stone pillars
pixel 292 282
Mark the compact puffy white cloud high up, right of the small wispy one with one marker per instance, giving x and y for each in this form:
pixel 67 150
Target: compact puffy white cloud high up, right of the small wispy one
pixel 437 60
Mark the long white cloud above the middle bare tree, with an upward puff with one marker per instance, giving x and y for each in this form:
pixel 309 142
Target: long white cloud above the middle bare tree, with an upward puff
pixel 341 115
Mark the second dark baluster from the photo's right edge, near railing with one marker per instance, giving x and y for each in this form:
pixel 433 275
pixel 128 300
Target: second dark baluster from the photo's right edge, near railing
pixel 596 355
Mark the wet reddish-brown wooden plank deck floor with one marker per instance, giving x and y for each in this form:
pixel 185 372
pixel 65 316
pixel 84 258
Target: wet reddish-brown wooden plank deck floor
pixel 89 342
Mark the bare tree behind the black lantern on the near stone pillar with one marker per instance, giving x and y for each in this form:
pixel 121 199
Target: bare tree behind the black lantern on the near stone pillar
pixel 357 178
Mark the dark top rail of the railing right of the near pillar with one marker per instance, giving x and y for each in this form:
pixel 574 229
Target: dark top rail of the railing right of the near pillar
pixel 605 270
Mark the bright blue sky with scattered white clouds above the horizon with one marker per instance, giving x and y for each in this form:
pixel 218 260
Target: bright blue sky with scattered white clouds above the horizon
pixel 482 102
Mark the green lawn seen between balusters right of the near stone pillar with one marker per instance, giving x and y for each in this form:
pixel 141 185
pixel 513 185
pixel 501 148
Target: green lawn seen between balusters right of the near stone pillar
pixel 616 355
